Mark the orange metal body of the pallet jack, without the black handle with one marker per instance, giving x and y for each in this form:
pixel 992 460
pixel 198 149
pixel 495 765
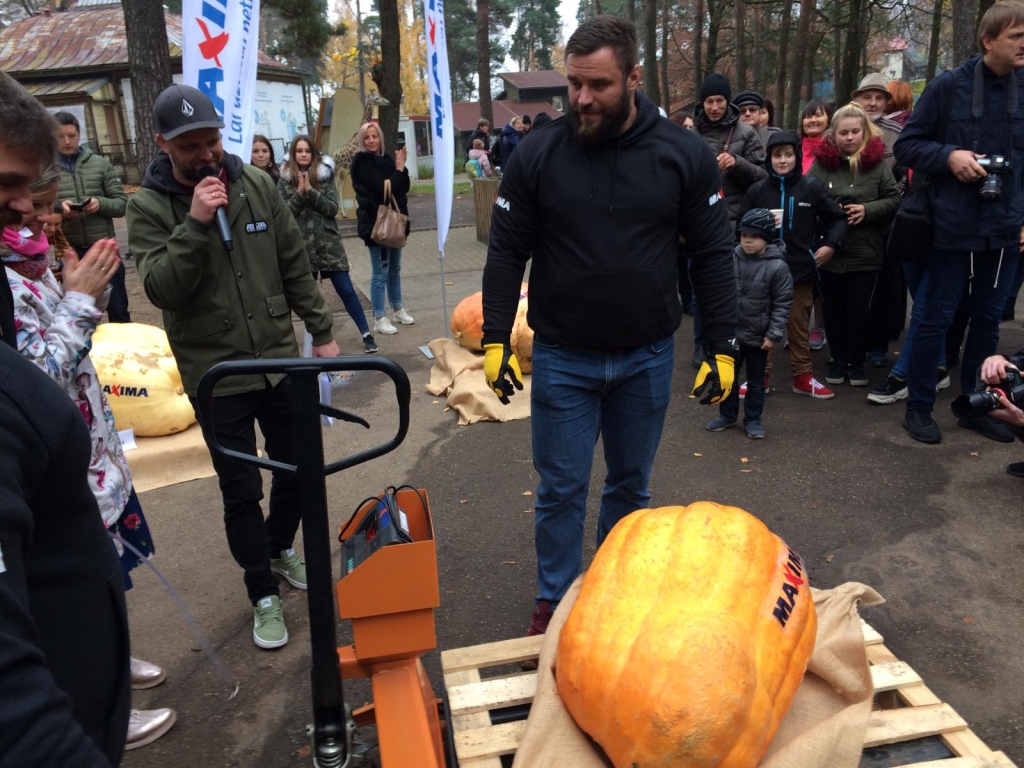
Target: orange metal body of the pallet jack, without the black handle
pixel 391 600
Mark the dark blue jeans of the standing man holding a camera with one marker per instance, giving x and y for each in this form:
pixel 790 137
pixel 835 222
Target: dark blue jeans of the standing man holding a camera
pixel 949 274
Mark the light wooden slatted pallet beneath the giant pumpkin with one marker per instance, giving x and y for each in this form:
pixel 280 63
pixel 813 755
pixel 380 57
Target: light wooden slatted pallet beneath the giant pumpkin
pixel 907 712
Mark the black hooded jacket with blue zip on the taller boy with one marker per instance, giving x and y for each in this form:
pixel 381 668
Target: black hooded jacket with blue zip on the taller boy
pixel 805 204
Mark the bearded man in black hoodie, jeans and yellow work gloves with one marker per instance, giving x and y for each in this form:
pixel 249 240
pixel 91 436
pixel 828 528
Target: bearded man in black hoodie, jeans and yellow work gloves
pixel 600 202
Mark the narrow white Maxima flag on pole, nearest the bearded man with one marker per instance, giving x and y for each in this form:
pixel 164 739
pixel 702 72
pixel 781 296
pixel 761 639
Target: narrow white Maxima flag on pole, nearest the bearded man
pixel 441 116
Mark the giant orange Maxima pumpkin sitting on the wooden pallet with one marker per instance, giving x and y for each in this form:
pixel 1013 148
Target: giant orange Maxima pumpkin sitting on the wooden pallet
pixel 689 641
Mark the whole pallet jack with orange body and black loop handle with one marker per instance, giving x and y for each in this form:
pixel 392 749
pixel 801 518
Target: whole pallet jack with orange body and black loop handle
pixel 390 594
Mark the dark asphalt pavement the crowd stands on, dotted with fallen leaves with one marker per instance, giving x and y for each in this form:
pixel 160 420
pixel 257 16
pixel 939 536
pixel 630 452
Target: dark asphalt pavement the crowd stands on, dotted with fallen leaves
pixel 934 529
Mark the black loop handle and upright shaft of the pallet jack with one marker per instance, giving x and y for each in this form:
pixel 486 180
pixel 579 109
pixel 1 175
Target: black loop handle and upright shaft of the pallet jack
pixel 330 738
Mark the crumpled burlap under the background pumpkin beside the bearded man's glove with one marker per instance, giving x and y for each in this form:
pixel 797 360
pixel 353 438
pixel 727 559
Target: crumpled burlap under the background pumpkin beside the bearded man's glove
pixel 458 373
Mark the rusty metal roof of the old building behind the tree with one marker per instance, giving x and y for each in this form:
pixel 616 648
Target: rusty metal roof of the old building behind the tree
pixel 81 38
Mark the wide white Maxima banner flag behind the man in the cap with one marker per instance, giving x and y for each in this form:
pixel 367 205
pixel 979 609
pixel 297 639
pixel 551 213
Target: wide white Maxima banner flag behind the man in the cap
pixel 221 40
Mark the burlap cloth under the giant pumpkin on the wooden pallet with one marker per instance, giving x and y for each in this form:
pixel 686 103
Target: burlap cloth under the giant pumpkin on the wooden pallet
pixel 825 728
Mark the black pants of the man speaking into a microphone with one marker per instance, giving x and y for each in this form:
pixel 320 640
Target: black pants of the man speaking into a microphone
pixel 252 540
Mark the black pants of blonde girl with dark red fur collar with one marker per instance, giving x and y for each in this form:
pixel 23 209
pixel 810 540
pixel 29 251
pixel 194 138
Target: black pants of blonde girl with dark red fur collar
pixel 848 314
